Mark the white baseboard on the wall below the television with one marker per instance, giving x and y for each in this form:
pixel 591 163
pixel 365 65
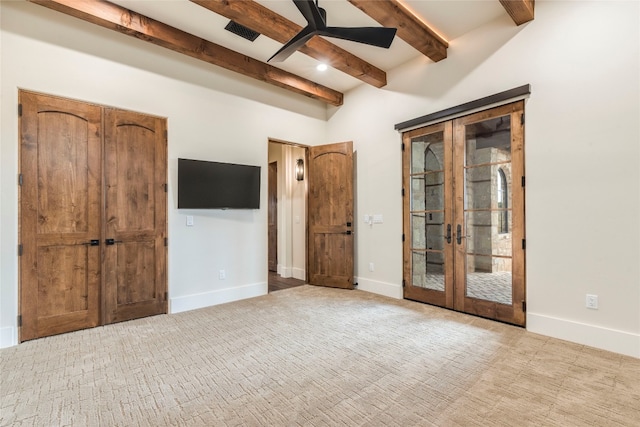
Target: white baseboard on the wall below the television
pixel 221 296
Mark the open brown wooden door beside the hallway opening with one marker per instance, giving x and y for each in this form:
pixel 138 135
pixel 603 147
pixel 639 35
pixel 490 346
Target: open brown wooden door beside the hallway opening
pixel 330 245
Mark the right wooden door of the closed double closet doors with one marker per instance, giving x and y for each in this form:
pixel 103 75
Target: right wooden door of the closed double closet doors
pixel 135 260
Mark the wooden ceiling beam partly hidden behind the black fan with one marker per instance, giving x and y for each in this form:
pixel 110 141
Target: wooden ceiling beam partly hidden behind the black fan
pixel 253 15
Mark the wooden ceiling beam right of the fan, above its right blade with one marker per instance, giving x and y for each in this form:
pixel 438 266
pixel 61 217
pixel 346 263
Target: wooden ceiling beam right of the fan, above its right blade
pixel 391 13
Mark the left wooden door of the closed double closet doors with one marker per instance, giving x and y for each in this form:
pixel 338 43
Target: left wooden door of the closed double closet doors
pixel 60 197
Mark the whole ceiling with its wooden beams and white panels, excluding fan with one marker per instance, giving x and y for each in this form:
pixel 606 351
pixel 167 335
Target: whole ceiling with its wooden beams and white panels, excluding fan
pixel 196 28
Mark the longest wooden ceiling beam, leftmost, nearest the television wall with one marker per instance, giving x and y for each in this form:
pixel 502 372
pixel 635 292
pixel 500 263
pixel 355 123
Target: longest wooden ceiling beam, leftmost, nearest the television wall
pixel 125 21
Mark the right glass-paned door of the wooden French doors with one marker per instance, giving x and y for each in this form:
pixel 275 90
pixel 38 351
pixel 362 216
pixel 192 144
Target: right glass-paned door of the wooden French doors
pixel 488 150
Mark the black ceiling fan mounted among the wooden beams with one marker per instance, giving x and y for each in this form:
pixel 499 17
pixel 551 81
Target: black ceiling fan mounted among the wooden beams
pixel 317 25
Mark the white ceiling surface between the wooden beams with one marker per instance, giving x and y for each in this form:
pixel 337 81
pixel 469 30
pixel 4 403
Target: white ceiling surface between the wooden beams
pixel 449 18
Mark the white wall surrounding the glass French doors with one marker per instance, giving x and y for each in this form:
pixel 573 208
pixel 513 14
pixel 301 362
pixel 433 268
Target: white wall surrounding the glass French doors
pixel 582 159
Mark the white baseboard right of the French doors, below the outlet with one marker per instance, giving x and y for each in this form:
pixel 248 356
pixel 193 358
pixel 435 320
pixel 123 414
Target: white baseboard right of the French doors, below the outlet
pixel 622 342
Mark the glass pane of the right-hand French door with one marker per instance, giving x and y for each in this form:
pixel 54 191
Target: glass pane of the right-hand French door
pixel 487 206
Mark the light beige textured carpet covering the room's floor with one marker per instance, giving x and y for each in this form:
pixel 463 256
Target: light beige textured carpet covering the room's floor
pixel 316 357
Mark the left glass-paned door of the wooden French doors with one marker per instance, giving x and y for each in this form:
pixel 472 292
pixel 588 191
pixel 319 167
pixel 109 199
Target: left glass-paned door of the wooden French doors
pixel 428 217
